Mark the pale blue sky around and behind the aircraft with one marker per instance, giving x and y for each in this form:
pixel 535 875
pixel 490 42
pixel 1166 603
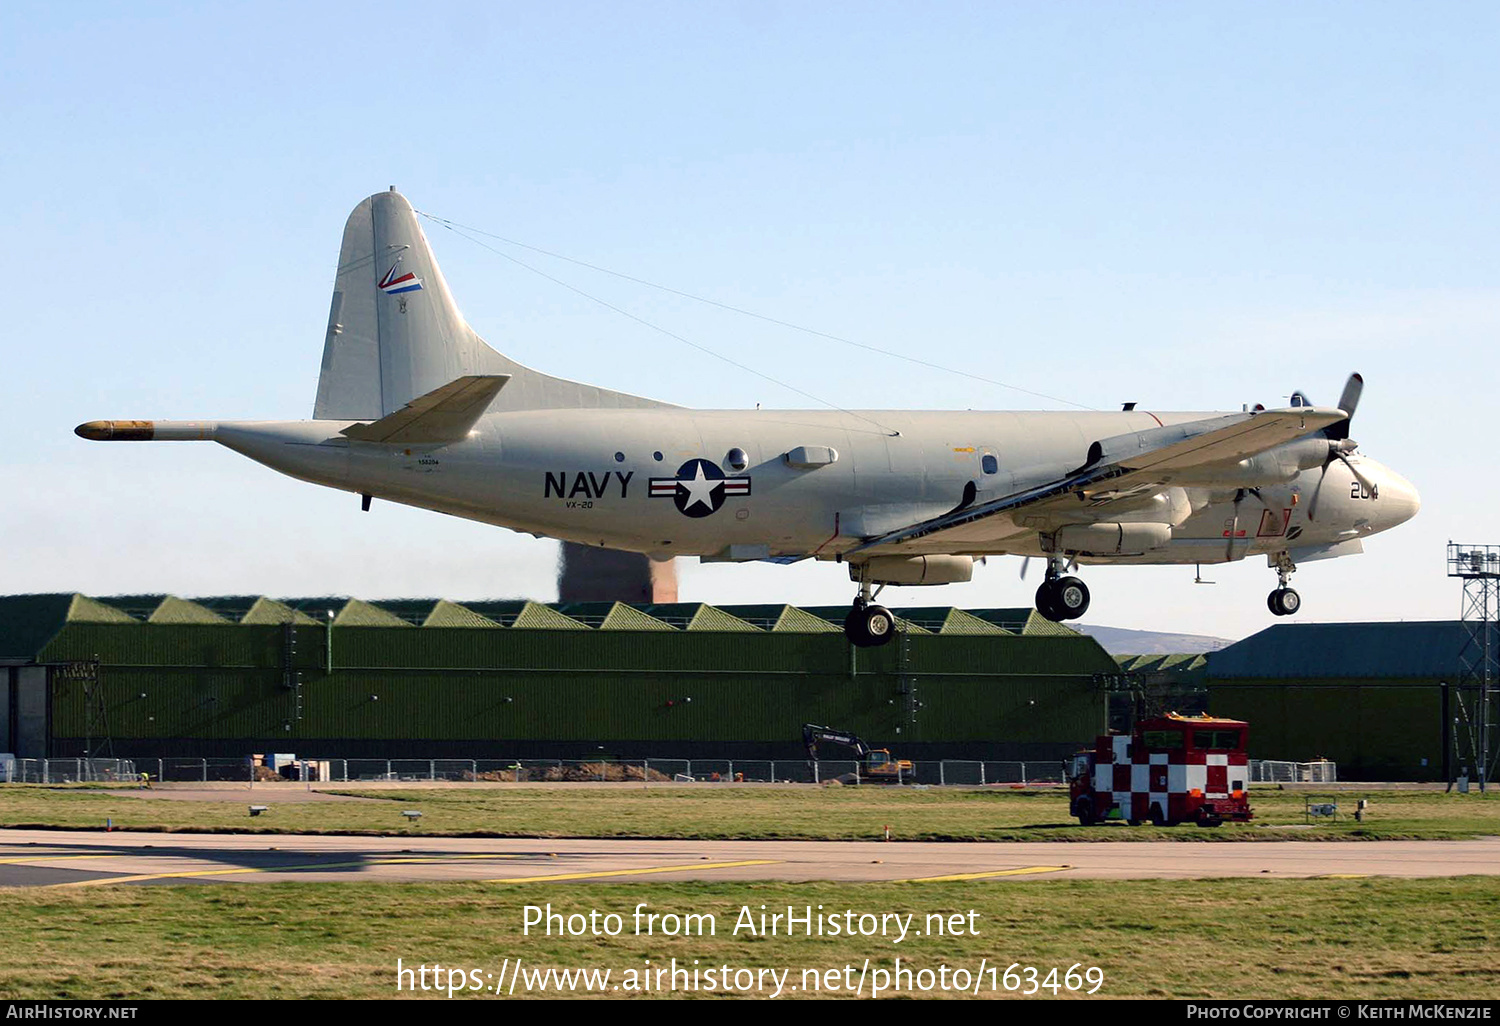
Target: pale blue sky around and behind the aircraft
pixel 1189 206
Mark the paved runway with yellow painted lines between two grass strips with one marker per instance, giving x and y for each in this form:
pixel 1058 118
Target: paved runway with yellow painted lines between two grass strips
pixel 79 860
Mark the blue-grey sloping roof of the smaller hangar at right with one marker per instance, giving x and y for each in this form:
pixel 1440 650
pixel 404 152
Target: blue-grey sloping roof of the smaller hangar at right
pixel 1421 650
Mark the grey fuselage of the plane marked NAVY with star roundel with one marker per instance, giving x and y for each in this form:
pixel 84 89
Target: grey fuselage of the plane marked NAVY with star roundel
pixel 662 481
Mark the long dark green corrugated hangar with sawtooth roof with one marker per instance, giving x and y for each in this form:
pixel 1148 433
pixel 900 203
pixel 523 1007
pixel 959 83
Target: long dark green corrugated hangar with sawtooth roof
pixel 158 676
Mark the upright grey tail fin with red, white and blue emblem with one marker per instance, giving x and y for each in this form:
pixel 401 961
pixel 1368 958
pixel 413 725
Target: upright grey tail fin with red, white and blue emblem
pixel 395 332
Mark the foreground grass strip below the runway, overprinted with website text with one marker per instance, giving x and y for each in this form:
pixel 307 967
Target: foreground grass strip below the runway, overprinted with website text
pixel 1379 938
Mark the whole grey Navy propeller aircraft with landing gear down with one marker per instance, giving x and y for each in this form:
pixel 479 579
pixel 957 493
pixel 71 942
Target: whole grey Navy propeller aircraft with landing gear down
pixel 413 407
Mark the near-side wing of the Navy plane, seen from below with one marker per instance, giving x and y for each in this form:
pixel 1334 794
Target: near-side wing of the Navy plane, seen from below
pixel 1129 466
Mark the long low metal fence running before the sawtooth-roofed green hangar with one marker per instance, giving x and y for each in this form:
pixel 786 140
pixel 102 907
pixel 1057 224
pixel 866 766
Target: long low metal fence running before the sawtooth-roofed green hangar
pixel 647 772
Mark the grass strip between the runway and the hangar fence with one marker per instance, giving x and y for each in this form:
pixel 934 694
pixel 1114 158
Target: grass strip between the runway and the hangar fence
pixel 712 814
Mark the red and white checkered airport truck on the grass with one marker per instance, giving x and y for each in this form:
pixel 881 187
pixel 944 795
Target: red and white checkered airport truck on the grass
pixel 1169 770
